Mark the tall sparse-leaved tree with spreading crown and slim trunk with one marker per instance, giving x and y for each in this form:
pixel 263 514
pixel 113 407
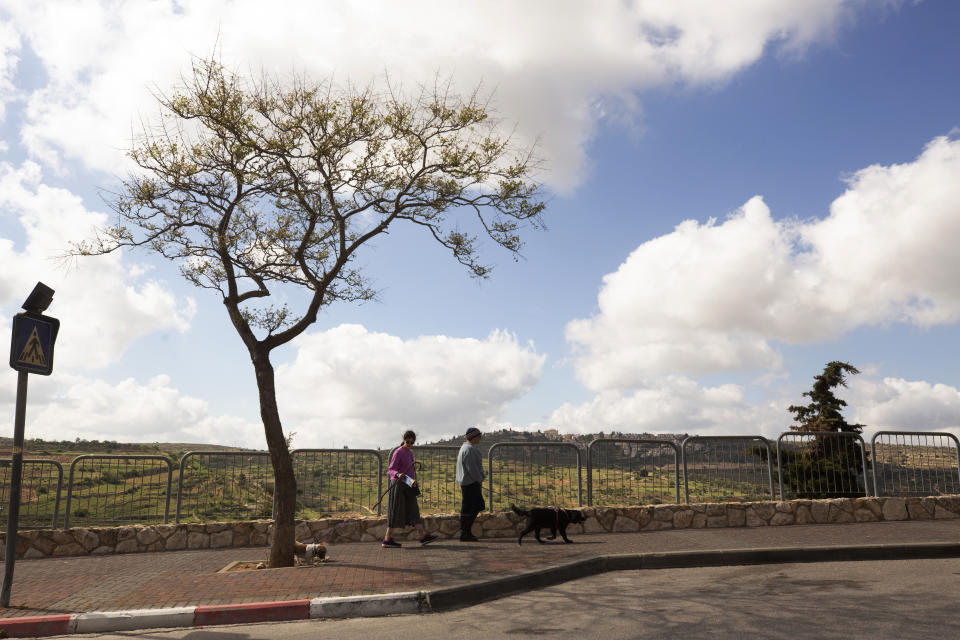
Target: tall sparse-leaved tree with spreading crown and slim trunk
pixel 253 184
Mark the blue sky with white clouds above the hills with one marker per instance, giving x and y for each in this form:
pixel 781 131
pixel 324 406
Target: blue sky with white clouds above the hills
pixel 735 198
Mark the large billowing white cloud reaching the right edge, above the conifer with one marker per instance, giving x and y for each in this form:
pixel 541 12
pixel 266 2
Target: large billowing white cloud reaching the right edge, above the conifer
pixel 716 296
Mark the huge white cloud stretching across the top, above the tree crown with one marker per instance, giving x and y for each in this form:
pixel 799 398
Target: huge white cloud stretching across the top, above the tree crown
pixel 556 66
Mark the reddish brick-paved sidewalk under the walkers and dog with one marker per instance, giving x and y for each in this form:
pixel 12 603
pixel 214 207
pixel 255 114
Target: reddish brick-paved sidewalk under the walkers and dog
pixel 49 586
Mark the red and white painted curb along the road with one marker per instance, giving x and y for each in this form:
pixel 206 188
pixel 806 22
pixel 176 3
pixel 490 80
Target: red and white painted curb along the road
pixel 208 615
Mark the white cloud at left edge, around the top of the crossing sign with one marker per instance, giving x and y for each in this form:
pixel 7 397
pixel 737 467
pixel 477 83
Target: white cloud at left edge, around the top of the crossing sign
pixel 104 303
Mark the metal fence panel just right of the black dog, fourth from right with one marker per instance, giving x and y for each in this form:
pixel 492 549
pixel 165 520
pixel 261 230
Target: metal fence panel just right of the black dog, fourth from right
pixel 629 472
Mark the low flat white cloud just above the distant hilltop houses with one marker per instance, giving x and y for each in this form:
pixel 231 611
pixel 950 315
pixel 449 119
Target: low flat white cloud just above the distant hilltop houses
pixel 672 404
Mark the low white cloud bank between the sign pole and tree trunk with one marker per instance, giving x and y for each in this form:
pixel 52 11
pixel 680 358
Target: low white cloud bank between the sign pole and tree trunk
pixel 66 406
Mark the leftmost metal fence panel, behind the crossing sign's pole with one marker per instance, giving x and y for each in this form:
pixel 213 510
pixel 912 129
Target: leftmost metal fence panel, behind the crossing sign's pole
pixel 39 493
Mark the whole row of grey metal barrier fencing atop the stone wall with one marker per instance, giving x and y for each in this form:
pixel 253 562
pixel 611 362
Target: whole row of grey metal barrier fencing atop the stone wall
pixel 219 485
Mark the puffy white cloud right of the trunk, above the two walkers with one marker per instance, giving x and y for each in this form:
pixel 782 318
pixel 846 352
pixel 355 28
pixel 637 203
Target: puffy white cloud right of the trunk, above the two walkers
pixel 351 386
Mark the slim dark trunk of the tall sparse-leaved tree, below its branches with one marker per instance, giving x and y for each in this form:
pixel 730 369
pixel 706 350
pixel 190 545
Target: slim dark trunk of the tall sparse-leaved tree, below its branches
pixel 285 484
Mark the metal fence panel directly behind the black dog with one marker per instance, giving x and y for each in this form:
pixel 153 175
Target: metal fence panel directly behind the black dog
pixel 534 474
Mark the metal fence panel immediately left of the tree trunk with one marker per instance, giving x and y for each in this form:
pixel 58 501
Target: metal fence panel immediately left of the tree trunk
pixel 225 485
